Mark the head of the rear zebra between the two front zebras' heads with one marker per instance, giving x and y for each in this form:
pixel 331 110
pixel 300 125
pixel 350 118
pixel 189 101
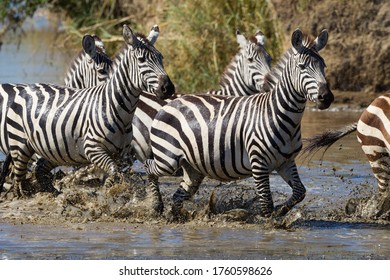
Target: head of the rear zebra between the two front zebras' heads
pixel 253 60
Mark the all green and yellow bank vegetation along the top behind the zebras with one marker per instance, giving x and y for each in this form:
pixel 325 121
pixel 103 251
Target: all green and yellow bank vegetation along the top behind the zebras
pixel 197 37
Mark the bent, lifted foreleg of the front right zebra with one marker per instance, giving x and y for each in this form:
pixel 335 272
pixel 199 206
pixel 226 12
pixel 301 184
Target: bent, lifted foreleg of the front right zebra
pixel 290 174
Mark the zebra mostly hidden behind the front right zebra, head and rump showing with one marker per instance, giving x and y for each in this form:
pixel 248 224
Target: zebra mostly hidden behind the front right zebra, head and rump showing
pixel 243 76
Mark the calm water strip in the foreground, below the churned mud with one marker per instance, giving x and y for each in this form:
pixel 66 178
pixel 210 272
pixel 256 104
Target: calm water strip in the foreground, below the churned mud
pixel 312 240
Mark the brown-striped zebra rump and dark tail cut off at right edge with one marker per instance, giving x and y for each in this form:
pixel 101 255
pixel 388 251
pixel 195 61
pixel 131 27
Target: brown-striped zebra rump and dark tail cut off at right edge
pixel 373 130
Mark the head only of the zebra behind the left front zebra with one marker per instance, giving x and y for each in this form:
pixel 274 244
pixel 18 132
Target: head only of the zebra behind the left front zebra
pixel 97 65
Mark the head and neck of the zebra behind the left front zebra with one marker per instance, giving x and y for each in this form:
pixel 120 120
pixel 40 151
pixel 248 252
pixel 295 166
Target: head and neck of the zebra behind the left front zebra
pixel 91 67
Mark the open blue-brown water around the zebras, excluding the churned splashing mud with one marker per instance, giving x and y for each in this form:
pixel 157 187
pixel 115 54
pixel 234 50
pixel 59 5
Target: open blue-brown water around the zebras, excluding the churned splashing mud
pixel 330 180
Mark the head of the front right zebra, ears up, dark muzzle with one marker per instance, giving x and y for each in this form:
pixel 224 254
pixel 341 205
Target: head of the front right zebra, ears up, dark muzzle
pixel 309 67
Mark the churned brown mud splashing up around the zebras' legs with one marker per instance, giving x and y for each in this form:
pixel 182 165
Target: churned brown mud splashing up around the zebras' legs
pixel 84 200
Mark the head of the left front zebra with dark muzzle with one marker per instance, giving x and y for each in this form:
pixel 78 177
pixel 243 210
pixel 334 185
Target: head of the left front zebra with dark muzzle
pixel 147 63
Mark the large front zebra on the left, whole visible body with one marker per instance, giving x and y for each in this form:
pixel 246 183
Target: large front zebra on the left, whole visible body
pixel 68 126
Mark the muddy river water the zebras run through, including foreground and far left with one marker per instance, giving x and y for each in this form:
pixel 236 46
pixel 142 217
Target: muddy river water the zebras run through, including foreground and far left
pixel 318 228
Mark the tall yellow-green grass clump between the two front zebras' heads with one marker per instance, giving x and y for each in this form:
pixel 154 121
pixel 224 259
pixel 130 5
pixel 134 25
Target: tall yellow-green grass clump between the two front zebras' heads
pixel 199 38
